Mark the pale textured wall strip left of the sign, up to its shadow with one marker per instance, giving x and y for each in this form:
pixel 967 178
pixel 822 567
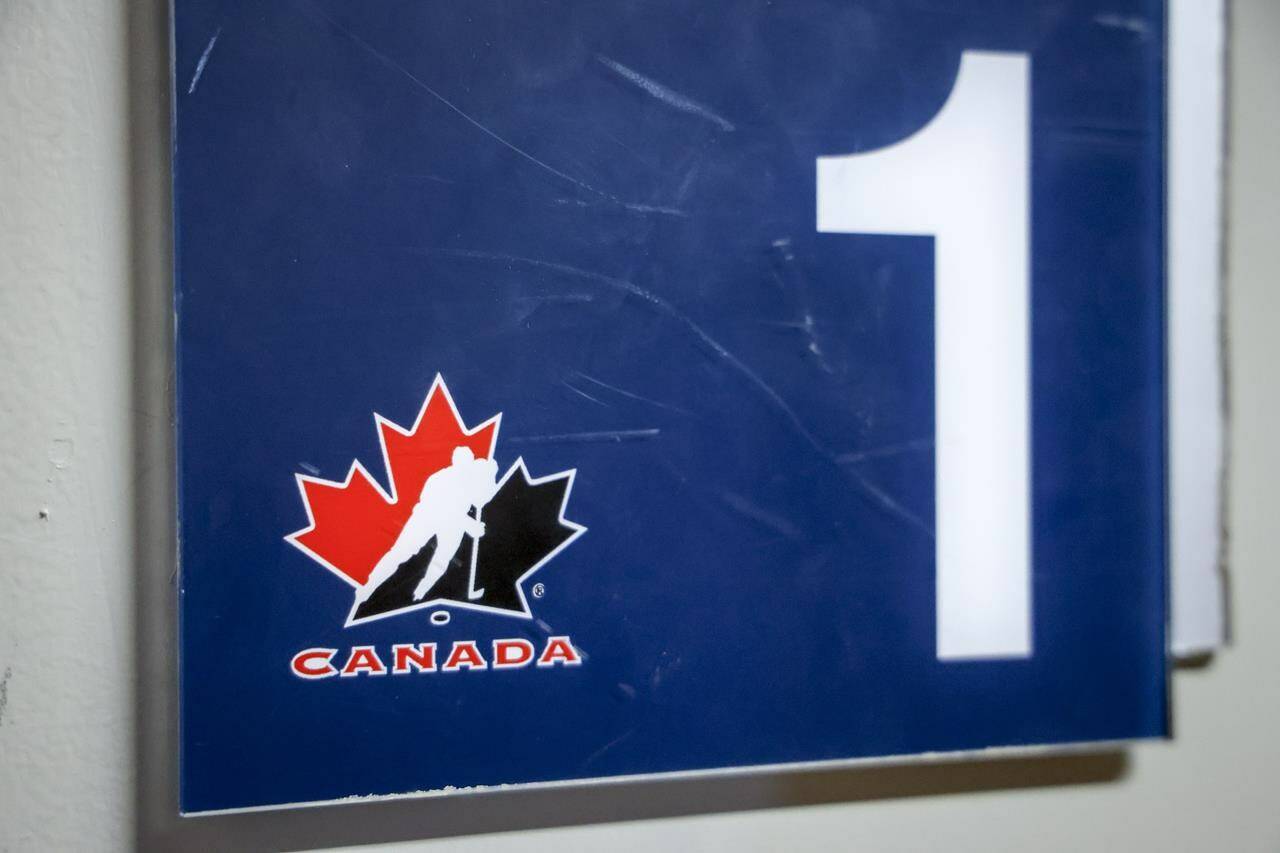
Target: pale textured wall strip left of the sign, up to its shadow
pixel 66 531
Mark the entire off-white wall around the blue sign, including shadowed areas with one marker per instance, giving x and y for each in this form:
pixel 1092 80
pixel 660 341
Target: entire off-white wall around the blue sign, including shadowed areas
pixel 86 633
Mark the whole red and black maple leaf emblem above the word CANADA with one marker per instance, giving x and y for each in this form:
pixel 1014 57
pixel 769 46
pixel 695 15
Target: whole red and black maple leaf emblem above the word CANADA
pixel 447 531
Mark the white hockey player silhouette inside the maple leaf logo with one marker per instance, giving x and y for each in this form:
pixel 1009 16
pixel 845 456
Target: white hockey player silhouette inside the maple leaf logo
pixel 444 512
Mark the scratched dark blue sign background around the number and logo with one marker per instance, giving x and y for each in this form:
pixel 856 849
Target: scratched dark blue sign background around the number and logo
pixel 372 194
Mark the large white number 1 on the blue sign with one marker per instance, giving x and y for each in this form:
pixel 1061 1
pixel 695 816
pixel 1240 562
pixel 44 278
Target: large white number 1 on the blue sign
pixel 964 181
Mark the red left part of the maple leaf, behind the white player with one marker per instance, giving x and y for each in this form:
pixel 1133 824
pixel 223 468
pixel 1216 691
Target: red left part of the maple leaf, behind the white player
pixel 354 523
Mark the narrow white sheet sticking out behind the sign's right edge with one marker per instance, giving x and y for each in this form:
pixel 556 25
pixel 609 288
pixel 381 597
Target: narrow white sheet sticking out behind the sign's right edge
pixel 1196 409
